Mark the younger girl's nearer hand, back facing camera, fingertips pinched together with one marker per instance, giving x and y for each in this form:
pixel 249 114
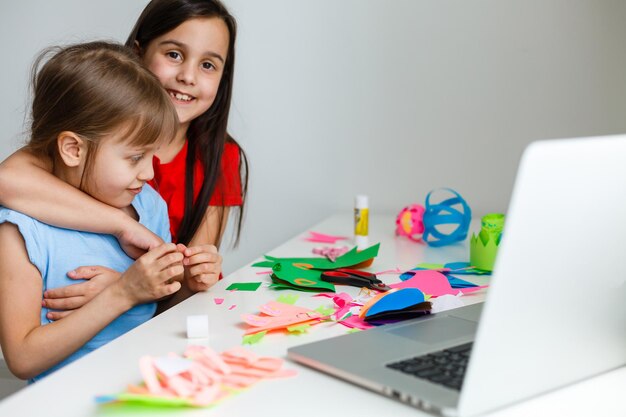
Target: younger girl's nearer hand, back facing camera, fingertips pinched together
pixel 153 276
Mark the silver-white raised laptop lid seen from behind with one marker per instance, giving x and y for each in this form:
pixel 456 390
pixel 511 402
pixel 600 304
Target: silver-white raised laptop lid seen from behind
pixel 556 309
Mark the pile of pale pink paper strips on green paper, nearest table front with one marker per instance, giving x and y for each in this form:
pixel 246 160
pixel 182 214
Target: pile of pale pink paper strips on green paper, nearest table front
pixel 202 378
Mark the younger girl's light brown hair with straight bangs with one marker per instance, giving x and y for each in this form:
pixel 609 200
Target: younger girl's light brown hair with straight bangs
pixel 94 89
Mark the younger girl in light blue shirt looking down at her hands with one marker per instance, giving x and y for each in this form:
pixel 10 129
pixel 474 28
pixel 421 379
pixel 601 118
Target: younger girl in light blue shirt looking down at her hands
pixel 99 116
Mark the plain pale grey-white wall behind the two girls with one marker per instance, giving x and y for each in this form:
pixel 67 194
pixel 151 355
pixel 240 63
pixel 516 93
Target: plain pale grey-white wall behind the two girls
pixel 385 97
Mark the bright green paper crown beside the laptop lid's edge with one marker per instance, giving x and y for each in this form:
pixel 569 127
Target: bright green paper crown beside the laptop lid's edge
pixel 484 247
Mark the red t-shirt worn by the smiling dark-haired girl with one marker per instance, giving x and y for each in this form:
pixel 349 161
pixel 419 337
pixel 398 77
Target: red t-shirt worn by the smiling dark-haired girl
pixel 169 181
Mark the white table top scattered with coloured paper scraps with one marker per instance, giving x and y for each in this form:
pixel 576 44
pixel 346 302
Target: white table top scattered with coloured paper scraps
pixel 71 391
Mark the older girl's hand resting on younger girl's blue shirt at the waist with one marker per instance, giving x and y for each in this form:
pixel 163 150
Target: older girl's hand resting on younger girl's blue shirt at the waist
pixel 74 296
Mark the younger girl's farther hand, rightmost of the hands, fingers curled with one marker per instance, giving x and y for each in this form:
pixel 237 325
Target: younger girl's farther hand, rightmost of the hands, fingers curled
pixel 203 266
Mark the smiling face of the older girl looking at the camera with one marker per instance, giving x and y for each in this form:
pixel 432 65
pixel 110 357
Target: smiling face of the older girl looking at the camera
pixel 189 61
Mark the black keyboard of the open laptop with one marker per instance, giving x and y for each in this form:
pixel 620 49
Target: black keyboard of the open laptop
pixel 445 367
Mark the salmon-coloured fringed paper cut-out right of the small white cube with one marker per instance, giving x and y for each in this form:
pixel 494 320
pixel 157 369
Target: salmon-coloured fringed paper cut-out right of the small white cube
pixel 279 316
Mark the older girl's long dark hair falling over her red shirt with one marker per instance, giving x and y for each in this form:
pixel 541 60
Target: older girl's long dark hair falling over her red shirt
pixel 207 134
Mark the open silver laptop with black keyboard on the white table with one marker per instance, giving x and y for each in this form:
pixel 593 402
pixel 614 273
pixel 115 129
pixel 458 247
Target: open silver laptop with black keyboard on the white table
pixel 555 311
